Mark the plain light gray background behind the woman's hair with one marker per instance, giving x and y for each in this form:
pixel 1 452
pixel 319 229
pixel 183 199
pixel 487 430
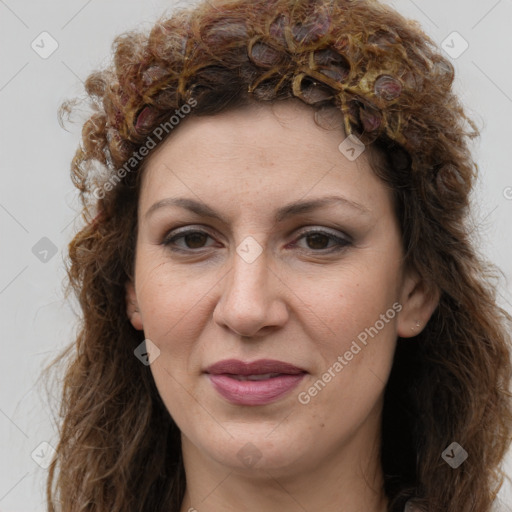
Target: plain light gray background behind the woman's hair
pixel 38 201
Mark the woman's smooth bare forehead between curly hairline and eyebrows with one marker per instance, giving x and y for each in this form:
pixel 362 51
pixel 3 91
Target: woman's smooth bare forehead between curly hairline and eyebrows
pixel 268 150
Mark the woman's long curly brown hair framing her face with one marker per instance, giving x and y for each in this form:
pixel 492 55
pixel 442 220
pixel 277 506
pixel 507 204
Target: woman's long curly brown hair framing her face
pixel 394 89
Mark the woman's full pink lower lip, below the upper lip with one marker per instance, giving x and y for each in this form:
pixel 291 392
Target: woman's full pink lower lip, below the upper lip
pixel 254 392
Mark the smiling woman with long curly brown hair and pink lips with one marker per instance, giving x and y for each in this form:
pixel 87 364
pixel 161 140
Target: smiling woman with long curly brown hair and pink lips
pixel 282 308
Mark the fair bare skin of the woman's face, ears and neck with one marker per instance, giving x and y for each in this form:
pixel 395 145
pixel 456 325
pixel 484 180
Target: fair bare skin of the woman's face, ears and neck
pixel 296 302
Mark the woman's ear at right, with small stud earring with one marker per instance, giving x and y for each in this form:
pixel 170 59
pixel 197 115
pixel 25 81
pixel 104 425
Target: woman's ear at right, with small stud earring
pixel 418 304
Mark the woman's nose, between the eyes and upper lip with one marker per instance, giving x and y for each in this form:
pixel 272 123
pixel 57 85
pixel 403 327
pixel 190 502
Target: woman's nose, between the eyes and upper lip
pixel 252 301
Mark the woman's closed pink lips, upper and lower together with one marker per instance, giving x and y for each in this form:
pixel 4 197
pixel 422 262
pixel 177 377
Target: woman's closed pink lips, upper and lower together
pixel 253 392
